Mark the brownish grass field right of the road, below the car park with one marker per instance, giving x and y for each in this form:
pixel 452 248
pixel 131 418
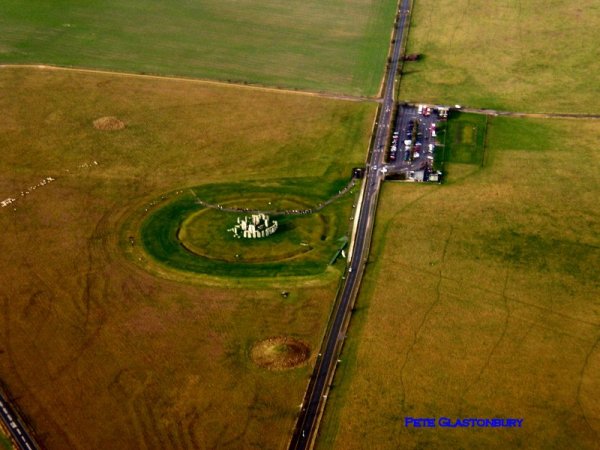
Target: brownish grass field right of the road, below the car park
pixel 482 299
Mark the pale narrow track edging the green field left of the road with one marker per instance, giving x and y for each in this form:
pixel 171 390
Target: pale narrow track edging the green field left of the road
pixel 332 96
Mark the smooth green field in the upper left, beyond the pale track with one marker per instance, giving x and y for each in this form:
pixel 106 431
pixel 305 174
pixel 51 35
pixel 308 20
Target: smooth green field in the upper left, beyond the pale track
pixel 338 46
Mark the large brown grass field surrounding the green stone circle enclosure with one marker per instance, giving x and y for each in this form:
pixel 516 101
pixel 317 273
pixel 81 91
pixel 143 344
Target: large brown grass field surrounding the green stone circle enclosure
pixel 99 353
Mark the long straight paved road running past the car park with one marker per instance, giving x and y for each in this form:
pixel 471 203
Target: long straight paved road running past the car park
pixel 316 394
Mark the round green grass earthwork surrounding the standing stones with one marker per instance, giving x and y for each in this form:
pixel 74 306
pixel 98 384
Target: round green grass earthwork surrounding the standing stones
pixel 185 236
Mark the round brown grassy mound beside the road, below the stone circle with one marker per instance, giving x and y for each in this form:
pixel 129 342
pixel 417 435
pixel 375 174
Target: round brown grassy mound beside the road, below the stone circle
pixel 280 353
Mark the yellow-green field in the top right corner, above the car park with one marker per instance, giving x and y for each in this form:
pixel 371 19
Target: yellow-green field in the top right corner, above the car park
pixel 533 56
